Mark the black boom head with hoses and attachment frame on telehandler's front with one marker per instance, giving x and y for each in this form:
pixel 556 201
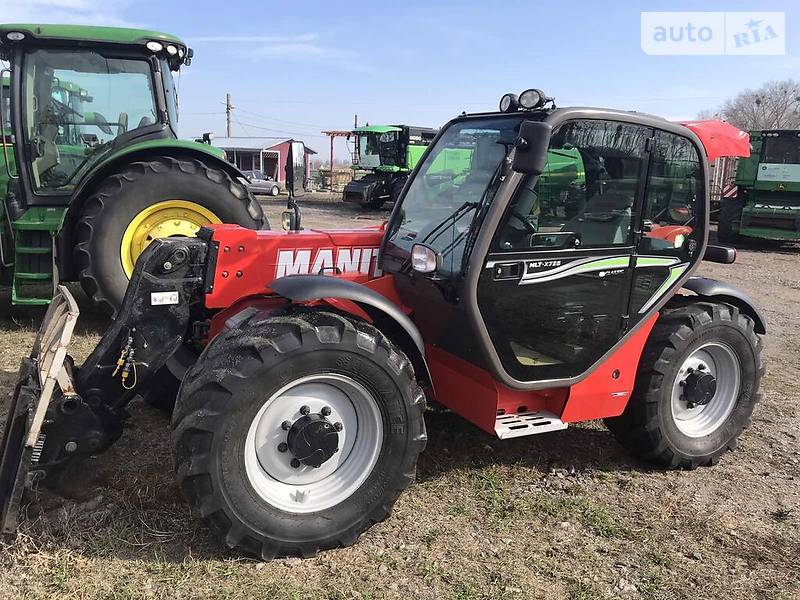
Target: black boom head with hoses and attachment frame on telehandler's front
pixel 60 413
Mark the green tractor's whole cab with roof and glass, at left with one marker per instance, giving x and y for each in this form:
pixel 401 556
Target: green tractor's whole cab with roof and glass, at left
pixel 77 95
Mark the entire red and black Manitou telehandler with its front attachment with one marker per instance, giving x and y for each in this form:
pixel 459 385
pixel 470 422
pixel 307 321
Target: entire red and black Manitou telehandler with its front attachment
pixel 306 356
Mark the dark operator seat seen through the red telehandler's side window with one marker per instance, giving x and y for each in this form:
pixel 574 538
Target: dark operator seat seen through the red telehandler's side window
pixel 605 218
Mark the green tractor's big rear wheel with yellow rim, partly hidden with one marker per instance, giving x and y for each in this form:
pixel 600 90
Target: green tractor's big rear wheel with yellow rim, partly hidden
pixel 161 197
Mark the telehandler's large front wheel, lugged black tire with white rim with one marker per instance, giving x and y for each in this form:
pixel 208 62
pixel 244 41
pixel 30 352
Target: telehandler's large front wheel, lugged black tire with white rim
pixel 296 433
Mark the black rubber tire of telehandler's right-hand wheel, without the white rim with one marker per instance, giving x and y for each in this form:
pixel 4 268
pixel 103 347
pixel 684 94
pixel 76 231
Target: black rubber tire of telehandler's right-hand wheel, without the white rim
pixel 647 428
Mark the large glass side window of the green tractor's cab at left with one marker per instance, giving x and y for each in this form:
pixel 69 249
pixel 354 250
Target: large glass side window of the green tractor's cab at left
pixel 76 105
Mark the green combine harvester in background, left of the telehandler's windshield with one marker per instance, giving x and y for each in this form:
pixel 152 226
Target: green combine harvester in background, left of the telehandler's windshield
pixel 385 154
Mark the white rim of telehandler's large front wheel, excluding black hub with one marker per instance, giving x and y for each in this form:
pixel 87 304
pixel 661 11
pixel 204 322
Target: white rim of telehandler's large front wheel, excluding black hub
pixel 308 489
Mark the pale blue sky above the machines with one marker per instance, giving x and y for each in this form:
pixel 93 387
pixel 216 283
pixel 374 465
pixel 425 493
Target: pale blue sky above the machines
pixel 294 68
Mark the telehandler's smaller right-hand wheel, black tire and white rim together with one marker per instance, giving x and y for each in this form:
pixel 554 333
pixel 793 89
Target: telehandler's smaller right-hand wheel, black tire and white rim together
pixel 695 389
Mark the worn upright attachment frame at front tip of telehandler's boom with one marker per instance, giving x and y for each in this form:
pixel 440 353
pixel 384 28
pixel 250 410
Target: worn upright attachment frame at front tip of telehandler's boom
pixel 39 375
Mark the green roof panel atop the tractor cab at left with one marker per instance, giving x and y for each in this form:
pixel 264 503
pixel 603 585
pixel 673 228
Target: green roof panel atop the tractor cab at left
pixel 86 33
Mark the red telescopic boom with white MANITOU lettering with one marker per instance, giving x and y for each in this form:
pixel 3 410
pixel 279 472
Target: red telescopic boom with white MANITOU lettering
pixel 248 261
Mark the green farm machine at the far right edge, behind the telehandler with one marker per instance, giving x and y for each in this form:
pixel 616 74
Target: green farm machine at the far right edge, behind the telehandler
pixel 767 201
